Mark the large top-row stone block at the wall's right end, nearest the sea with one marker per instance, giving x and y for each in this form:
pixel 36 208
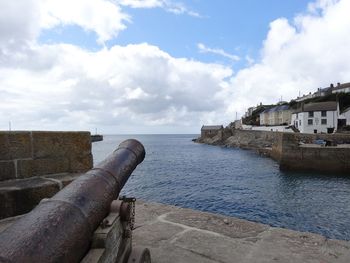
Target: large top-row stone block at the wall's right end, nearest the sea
pixel 58 144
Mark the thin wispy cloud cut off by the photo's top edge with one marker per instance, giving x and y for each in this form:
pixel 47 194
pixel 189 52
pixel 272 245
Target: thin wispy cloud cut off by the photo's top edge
pixel 177 8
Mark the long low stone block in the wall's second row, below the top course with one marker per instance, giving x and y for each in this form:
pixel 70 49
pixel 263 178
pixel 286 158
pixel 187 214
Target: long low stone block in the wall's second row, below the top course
pixel 38 167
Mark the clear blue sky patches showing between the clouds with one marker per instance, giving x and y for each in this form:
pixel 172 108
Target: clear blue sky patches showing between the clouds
pixel 237 27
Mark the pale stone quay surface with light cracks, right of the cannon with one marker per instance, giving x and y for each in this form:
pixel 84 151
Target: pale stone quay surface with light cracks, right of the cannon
pixel 175 234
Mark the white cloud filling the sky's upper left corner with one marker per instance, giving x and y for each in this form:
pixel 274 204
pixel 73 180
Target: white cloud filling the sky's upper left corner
pixel 23 20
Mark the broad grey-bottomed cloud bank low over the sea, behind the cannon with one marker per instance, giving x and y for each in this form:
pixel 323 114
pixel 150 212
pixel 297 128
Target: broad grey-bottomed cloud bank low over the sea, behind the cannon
pixel 133 86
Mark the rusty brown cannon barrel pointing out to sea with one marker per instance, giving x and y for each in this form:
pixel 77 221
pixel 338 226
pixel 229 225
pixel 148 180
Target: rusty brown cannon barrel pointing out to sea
pixel 59 229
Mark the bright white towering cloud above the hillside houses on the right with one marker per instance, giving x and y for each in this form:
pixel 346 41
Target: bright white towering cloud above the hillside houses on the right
pixel 309 52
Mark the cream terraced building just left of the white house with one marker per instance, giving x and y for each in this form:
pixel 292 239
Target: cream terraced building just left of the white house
pixel 275 116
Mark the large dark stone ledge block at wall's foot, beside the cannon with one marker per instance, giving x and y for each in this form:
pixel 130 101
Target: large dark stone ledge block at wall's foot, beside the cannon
pixel 20 196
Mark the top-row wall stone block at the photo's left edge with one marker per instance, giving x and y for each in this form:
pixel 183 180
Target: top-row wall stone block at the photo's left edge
pixel 15 145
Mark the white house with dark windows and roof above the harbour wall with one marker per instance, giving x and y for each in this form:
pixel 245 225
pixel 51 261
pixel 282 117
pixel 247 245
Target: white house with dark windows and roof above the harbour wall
pixel 320 117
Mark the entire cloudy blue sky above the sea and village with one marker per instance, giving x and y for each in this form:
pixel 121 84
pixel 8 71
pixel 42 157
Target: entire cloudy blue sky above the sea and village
pixel 162 66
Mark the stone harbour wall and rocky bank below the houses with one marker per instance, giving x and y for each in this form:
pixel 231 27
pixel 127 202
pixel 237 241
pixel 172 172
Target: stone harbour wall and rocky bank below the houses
pixel 293 151
